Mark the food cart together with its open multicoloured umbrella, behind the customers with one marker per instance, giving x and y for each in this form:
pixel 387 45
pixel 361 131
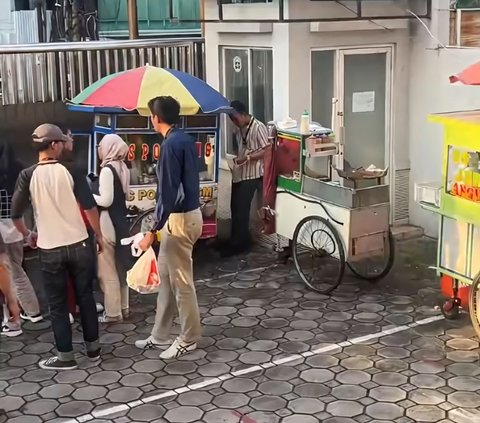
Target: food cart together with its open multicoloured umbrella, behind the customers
pixel 119 103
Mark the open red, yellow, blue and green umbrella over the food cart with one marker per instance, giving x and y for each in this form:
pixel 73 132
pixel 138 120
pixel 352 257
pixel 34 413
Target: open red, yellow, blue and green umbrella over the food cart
pixel 133 89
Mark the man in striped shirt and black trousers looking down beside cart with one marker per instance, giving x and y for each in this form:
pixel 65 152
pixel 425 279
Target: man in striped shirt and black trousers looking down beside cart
pixel 247 173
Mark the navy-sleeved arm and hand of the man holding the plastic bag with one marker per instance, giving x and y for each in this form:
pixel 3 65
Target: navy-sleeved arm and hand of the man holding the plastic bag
pixel 169 174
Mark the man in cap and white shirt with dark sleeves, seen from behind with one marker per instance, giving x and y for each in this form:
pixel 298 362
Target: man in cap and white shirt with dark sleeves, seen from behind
pixel 55 191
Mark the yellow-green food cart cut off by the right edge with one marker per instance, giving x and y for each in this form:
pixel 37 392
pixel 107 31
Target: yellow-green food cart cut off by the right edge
pixel 456 200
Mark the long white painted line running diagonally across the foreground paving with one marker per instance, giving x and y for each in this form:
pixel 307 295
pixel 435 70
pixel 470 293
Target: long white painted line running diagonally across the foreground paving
pixel 174 392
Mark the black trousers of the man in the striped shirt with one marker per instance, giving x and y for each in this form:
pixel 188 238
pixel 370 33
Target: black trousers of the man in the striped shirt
pixel 241 202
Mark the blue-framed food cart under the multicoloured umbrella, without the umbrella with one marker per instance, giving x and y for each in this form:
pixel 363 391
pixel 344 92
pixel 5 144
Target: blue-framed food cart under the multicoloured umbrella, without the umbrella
pixel 144 150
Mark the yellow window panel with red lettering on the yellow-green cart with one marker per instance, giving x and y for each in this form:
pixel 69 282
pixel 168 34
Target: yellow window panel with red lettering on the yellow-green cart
pixel 463 174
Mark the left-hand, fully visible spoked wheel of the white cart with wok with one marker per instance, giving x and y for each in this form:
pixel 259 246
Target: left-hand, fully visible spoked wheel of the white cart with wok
pixel 318 254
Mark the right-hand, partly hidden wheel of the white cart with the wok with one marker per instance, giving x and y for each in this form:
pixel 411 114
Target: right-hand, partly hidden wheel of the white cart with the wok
pixel 374 268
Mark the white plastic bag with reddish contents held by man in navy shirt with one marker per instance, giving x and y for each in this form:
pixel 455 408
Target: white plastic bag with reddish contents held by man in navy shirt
pixel 143 277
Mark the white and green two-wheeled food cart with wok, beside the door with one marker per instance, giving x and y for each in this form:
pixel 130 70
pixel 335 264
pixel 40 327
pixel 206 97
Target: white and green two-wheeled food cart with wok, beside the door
pixel 331 214
